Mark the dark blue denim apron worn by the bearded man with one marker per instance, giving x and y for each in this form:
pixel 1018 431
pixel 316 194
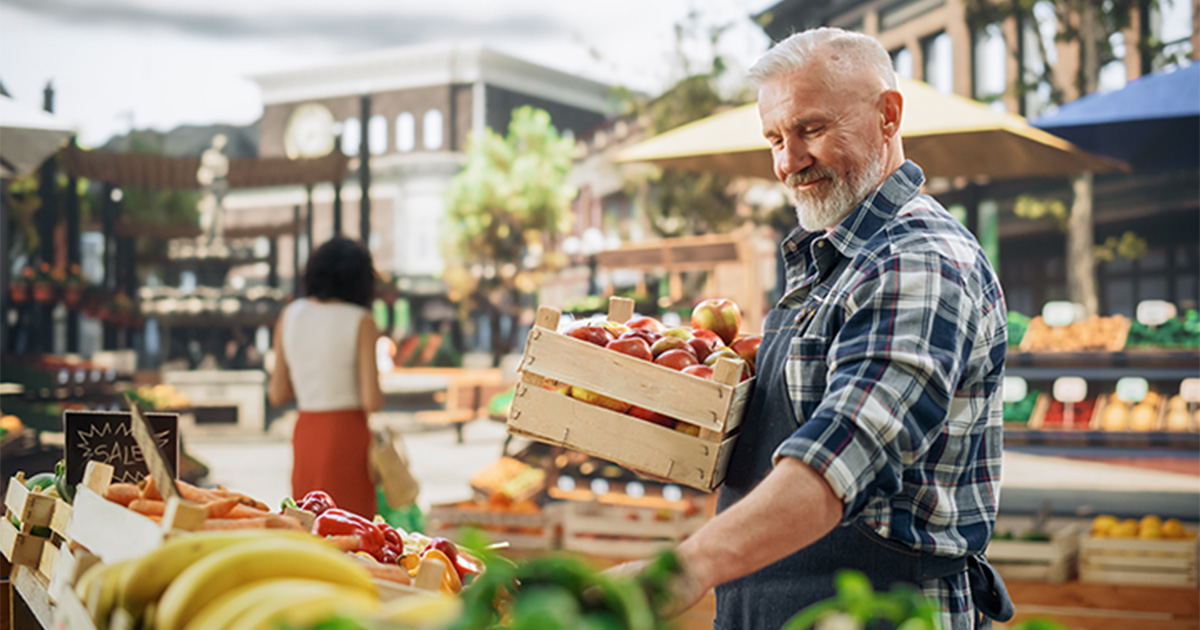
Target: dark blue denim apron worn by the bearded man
pixel 767 599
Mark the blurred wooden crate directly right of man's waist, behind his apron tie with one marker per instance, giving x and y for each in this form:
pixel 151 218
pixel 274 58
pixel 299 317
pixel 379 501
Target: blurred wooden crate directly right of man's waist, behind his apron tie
pixel 1052 561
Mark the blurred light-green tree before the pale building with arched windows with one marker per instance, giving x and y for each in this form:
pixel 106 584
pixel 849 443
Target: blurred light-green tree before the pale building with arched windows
pixel 507 211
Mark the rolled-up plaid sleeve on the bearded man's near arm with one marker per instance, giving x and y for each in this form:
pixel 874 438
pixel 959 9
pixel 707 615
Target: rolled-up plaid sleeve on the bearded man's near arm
pixel 892 371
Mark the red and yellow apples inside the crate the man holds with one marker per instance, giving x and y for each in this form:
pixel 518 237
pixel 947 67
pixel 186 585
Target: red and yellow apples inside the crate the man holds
pixel 694 351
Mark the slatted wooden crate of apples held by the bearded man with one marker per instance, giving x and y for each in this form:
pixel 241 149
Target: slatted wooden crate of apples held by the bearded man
pixel 716 406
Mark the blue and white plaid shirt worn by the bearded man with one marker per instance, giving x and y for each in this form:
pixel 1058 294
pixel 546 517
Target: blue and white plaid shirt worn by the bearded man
pixel 896 375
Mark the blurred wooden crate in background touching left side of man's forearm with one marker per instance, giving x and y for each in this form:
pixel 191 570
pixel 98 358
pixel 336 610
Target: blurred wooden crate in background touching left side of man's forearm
pixel 625 532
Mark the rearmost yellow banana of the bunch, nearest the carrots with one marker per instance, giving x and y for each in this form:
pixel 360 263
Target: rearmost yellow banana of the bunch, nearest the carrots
pixel 155 571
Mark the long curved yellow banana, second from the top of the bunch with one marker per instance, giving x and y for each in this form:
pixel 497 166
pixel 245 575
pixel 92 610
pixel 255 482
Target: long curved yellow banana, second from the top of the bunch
pixel 249 562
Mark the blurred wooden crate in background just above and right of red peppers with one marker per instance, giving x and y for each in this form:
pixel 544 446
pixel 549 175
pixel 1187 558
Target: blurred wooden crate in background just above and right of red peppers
pixel 521 531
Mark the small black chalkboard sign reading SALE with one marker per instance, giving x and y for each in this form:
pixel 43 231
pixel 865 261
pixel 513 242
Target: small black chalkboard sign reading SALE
pixel 107 437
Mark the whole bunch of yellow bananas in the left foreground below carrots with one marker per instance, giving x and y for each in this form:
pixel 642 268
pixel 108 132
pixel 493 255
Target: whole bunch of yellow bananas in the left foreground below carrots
pixel 230 580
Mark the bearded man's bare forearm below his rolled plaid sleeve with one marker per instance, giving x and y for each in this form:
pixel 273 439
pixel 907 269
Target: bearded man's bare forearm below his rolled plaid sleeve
pixel 793 508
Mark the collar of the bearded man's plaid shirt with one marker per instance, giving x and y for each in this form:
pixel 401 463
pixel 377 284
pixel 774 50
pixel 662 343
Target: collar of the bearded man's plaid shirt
pixel 880 207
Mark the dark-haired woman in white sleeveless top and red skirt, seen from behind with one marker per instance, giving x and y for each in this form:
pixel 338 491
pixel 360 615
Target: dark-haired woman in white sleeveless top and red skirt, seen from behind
pixel 326 358
